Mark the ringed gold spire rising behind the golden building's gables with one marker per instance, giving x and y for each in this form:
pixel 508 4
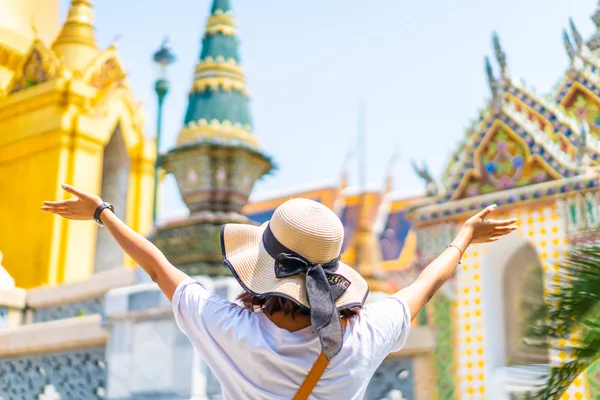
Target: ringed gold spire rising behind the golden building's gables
pixel 76 45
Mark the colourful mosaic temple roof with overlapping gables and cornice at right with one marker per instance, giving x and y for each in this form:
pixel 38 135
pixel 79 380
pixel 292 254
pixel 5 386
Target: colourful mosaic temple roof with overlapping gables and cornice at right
pixel 524 147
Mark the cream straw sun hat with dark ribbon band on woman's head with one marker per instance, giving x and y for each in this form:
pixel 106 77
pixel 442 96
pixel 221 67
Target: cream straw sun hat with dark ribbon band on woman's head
pixel 303 231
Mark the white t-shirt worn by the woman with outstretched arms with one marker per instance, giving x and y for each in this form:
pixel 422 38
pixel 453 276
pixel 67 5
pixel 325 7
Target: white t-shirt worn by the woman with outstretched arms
pixel 254 359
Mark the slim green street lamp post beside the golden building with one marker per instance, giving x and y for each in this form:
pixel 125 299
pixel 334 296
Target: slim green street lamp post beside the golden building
pixel 163 57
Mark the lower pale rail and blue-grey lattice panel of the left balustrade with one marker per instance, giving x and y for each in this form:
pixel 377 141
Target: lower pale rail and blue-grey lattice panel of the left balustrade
pixel 65 357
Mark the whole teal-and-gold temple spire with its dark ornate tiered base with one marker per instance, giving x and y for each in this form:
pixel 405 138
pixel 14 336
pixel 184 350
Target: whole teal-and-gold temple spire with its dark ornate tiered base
pixel 217 160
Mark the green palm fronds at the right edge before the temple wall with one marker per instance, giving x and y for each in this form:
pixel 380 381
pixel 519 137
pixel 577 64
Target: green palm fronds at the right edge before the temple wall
pixel 573 308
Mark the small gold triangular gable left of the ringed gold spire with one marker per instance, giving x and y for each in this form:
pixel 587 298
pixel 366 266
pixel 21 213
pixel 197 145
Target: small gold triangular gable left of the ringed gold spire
pixel 37 66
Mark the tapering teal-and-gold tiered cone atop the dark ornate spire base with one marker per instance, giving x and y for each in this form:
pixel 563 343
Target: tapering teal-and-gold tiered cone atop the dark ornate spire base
pixel 218 100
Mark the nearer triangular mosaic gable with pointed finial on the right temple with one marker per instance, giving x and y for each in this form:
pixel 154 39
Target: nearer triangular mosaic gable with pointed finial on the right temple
pixel 519 140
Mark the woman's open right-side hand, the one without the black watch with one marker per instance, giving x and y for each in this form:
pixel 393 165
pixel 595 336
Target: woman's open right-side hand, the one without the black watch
pixel 483 230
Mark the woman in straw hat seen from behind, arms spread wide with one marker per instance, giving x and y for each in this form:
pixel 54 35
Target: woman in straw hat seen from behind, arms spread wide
pixel 303 330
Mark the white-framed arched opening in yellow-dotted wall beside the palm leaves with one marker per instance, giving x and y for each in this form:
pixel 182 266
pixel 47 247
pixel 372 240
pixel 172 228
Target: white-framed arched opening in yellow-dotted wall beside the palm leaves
pixel 512 288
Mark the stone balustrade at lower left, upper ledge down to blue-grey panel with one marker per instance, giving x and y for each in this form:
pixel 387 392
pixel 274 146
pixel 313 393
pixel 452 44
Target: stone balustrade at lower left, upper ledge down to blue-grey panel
pixel 52 340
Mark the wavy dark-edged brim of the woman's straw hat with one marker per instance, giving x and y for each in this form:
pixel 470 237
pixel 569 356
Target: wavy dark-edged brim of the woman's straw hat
pixel 253 267
